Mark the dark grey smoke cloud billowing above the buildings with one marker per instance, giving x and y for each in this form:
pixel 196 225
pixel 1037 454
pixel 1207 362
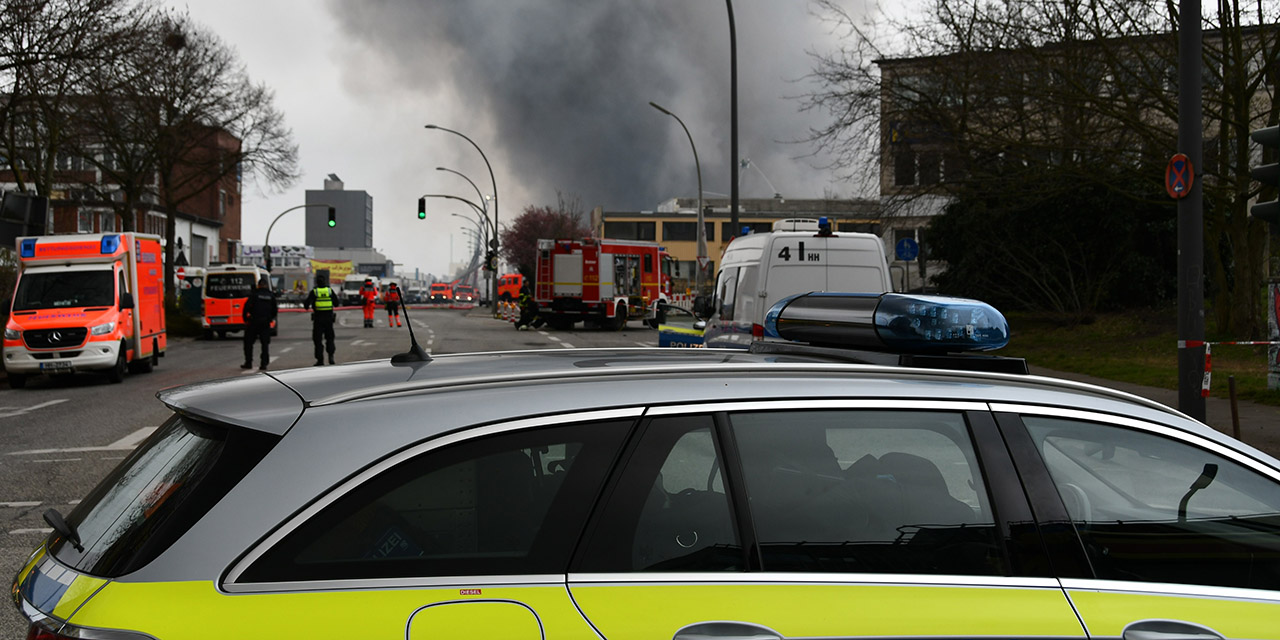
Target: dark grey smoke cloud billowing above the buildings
pixel 560 90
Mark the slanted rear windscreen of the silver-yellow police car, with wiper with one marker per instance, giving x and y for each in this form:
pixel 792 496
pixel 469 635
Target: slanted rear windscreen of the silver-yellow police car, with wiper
pixel 157 495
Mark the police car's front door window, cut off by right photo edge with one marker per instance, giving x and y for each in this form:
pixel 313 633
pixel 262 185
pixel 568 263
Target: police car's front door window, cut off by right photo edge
pixel 1153 509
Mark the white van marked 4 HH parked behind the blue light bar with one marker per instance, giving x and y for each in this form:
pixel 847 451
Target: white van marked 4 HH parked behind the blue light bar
pixel 799 257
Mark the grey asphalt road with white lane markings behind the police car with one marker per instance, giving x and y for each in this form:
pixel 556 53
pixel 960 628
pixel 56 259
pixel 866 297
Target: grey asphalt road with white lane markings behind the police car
pixel 60 437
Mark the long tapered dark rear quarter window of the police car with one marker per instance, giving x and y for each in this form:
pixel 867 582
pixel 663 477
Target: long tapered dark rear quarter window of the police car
pixel 511 504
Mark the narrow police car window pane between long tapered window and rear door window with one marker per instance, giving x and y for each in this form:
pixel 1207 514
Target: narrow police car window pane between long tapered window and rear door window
pixel 669 511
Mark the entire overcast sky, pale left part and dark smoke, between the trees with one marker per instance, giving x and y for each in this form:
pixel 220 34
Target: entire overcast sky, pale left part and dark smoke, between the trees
pixel 555 92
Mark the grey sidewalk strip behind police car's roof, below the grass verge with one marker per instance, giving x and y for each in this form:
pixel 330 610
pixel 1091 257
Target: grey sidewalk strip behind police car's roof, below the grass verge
pixel 1260 424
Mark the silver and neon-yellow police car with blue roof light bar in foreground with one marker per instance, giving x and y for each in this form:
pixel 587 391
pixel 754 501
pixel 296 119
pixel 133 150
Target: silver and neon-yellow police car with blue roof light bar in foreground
pixel 870 483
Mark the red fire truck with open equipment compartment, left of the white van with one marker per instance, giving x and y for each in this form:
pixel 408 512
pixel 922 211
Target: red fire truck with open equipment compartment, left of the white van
pixel 601 281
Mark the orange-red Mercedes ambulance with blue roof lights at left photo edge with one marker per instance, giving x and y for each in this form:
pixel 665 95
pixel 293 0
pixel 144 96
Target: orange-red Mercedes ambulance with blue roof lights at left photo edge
pixel 86 304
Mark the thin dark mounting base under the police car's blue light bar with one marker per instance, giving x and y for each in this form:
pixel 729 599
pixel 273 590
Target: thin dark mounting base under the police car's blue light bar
pixel 948 362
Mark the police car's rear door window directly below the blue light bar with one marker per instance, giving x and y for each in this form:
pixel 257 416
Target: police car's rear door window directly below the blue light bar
pixel 861 491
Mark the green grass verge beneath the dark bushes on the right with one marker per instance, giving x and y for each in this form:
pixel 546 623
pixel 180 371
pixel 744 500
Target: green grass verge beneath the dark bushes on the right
pixel 1137 348
